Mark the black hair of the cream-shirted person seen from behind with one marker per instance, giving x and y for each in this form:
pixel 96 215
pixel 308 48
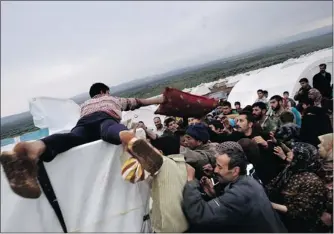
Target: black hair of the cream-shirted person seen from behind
pixel 167 144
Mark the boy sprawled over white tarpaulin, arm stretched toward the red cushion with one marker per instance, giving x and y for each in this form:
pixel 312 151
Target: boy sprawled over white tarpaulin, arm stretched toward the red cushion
pixel 100 119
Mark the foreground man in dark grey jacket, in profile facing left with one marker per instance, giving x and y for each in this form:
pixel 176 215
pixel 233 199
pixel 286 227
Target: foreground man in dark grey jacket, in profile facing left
pixel 244 205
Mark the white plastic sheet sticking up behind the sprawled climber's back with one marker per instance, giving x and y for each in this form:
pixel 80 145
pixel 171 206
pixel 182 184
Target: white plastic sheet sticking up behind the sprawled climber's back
pixel 54 113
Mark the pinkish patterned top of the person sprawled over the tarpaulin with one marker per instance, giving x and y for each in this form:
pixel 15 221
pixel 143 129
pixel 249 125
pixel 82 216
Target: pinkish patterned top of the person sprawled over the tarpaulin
pixel 113 106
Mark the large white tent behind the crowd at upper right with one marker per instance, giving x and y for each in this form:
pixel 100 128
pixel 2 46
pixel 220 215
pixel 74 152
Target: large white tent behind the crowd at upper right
pixel 281 77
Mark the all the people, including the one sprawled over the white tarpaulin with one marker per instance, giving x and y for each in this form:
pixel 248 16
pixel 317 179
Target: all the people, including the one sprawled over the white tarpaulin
pixel 267 167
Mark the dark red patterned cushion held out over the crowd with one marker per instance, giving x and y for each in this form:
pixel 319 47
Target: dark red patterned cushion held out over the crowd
pixel 181 104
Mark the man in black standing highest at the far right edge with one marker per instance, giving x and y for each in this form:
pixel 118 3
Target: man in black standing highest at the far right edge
pixel 322 82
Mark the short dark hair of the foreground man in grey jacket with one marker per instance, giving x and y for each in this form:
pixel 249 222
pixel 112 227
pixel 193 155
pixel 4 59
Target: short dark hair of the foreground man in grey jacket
pixel 237 159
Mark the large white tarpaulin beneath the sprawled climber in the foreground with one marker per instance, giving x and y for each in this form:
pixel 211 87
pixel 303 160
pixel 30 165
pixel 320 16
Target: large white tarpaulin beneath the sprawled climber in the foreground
pixel 91 193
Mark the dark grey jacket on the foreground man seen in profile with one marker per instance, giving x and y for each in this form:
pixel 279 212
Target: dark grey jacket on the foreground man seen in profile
pixel 243 207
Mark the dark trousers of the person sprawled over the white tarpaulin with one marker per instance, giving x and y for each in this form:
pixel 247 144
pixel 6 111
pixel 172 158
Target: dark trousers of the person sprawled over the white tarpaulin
pixel 96 126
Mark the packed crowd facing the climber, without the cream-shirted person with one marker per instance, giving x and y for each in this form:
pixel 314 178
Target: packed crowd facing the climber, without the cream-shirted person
pixel 287 140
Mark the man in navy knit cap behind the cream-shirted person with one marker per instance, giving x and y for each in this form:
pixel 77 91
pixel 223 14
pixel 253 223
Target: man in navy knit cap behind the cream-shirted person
pixel 199 152
